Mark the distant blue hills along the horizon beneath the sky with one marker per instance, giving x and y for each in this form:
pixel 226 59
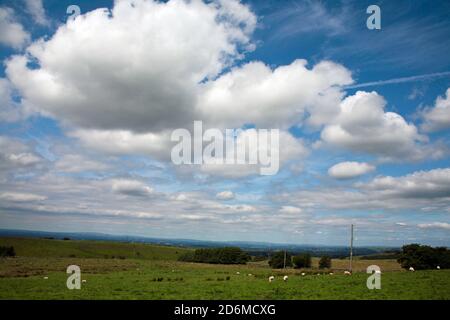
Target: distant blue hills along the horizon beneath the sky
pixel 254 248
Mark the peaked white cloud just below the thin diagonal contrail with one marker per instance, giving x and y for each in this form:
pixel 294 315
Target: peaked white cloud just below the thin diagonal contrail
pixel 364 126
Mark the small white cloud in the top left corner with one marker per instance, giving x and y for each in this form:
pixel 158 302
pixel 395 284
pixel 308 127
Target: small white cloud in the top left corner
pixel 13 34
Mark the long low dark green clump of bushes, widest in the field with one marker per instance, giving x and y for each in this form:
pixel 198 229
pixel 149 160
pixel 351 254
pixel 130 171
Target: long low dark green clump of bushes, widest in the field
pixel 227 255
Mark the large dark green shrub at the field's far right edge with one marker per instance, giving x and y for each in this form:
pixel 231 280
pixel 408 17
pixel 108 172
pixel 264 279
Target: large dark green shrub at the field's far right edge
pixel 424 257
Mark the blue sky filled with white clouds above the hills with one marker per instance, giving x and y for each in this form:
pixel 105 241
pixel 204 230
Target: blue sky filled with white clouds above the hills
pixel 88 103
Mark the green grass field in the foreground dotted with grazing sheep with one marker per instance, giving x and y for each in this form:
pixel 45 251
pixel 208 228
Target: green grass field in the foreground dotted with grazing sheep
pixel 155 274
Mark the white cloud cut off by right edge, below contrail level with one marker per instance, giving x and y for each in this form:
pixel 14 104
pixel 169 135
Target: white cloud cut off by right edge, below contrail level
pixel 438 117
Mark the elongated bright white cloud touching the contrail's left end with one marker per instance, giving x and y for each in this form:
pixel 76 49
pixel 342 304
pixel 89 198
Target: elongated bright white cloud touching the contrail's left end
pixel 274 98
